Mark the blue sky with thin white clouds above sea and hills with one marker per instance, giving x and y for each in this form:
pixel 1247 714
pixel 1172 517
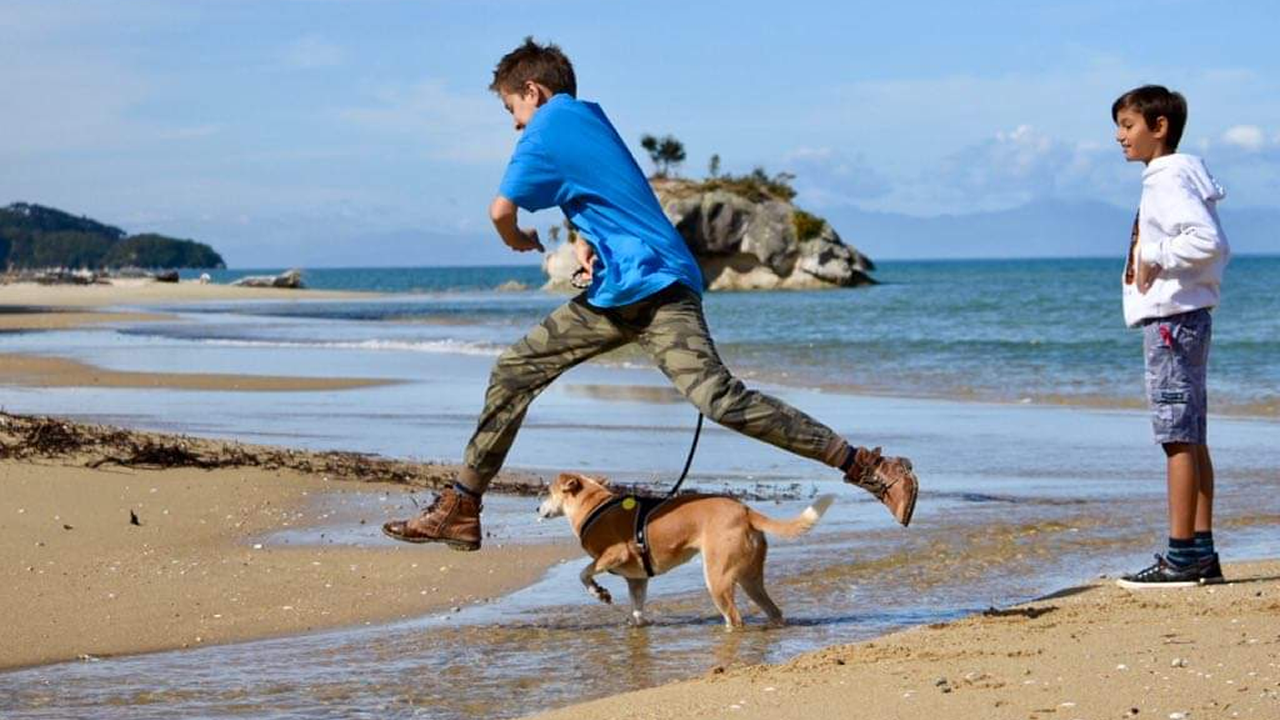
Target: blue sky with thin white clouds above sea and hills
pixel 362 131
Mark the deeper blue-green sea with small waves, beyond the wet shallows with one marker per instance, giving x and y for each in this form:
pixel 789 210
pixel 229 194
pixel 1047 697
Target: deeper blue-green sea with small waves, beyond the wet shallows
pixel 1041 331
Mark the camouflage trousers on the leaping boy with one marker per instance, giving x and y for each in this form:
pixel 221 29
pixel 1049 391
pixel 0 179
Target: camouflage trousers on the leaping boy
pixel 671 329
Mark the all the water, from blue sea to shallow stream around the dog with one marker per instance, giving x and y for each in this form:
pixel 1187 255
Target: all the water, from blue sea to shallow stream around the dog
pixel 1018 405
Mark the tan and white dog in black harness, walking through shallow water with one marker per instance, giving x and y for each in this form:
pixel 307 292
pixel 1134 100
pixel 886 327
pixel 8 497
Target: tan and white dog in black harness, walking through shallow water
pixel 728 534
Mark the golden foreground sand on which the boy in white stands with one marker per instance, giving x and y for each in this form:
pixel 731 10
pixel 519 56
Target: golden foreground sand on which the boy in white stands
pixel 1094 651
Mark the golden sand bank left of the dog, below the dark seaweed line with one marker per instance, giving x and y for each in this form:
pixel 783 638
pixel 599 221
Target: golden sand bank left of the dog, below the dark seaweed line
pixel 77 578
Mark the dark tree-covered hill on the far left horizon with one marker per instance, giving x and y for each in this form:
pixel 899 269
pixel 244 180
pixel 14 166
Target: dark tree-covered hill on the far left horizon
pixel 34 236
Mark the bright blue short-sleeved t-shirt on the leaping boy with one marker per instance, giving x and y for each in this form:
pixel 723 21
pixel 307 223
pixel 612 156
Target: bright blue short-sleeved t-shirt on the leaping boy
pixel 572 157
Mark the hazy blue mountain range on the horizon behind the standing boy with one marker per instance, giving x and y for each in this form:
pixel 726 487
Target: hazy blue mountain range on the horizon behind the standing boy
pixel 1050 229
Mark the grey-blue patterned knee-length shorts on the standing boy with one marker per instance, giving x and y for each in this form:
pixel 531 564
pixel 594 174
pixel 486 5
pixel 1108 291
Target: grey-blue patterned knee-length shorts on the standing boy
pixel 1177 352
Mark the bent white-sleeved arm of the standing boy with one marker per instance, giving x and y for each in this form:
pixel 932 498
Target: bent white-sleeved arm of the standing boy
pixel 1192 239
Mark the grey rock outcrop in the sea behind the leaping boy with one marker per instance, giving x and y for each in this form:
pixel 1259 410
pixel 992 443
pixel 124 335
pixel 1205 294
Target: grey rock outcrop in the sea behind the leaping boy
pixel 743 243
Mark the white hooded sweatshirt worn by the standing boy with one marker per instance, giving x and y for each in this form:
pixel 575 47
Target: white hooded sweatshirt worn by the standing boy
pixel 1178 229
